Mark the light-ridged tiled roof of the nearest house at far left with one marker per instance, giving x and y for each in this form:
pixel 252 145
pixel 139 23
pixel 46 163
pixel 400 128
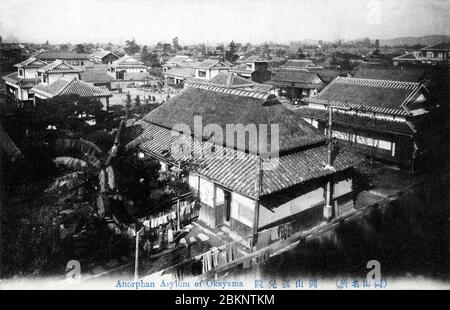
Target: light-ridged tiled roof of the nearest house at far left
pixel 73 86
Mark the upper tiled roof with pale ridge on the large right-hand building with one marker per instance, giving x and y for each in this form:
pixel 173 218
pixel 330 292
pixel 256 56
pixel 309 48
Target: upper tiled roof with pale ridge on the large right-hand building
pixel 381 96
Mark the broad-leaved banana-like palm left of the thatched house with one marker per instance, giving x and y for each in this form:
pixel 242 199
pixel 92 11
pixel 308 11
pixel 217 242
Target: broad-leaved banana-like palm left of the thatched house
pixel 92 177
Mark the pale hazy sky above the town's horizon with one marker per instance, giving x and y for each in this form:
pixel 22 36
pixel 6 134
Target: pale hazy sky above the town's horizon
pixel 215 21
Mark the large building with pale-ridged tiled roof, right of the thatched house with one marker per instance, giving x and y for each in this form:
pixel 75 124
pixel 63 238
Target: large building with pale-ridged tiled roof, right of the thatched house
pixel 376 116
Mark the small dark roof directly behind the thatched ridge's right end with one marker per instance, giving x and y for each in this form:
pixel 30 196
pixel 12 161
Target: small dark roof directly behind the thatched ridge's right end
pixel 292 78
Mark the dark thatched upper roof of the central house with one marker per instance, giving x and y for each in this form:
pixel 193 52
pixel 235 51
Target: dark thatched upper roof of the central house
pixel 222 106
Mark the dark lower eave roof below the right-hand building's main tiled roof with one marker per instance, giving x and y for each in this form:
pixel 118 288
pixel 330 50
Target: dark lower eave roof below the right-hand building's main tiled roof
pixel 403 128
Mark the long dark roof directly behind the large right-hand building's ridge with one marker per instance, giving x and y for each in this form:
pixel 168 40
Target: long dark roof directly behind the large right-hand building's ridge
pixel 394 74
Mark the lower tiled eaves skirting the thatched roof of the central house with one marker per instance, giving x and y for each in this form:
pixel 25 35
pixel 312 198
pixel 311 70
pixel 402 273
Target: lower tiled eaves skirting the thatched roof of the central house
pixel 237 170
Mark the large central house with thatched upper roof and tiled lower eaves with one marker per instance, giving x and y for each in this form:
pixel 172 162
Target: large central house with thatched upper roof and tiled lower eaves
pixel 239 191
